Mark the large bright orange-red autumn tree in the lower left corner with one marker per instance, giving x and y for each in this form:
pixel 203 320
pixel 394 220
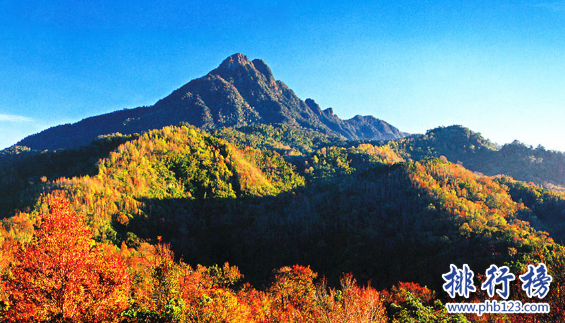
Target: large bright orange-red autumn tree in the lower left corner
pixel 62 275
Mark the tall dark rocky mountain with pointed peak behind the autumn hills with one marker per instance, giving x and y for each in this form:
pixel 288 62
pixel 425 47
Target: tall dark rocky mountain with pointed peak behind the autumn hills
pixel 238 93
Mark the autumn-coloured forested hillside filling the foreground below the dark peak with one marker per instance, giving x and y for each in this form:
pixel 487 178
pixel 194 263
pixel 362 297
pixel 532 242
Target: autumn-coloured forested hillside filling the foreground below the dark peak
pixel 304 220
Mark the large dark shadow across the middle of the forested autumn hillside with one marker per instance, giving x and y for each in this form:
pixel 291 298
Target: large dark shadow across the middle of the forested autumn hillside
pixel 349 226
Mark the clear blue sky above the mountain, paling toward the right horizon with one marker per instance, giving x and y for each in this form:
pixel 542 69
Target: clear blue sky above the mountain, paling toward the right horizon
pixel 497 67
